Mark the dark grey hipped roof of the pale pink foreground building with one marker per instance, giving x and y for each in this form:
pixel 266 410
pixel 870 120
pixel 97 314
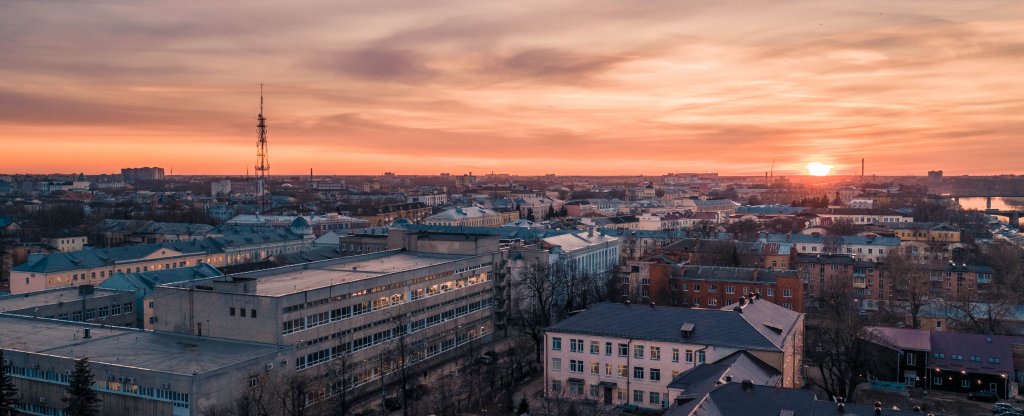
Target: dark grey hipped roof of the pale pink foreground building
pixel 762 325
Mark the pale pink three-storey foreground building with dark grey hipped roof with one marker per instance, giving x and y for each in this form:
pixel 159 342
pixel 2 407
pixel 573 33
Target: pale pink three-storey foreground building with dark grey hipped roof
pixel 629 354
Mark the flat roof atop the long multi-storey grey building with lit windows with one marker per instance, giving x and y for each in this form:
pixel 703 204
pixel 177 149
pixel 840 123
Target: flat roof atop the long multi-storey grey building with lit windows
pixel 297 279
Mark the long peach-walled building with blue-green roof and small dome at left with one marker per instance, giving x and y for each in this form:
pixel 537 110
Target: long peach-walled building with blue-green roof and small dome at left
pixel 94 267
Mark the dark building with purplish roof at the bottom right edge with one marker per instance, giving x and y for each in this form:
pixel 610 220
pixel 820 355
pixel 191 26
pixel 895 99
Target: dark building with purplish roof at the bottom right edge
pixel 953 362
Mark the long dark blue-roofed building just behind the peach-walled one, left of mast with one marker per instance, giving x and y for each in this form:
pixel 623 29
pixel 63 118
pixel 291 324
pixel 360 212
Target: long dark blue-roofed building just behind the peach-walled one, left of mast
pixel 119 232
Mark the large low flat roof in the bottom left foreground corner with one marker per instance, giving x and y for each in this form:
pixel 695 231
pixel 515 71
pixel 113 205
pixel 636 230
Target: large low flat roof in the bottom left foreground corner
pixel 160 352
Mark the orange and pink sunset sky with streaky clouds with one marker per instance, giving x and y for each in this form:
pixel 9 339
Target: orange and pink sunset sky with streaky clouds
pixel 526 88
